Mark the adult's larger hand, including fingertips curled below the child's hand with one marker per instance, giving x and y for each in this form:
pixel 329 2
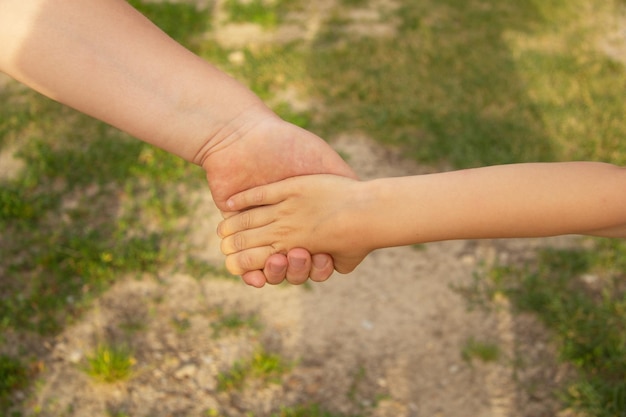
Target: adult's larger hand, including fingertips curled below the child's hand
pixel 270 151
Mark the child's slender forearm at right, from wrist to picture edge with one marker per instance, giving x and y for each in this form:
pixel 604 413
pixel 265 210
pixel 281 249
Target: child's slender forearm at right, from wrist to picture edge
pixel 521 200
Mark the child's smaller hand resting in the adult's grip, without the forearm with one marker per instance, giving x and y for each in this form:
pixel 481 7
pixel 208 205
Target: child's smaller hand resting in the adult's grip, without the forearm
pixel 319 213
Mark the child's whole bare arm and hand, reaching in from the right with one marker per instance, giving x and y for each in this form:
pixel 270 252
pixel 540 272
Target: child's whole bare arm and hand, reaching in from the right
pixel 348 219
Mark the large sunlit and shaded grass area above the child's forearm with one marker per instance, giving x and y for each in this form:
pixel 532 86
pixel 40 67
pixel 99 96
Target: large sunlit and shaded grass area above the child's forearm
pixel 476 83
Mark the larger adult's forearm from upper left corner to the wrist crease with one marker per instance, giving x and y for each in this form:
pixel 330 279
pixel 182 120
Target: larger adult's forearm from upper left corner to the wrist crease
pixel 105 59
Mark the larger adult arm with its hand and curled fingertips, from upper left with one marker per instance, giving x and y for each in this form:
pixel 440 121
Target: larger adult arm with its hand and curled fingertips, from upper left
pixel 105 59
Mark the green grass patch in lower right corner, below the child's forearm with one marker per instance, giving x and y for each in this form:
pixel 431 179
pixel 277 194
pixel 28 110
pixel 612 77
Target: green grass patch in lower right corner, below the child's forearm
pixel 581 297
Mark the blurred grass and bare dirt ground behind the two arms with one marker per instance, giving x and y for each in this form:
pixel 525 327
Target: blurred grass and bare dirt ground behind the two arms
pixel 113 298
